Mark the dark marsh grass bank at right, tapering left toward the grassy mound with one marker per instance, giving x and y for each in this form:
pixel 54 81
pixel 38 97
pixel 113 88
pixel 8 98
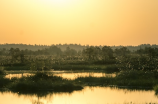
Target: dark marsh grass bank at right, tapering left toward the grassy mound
pixel 132 78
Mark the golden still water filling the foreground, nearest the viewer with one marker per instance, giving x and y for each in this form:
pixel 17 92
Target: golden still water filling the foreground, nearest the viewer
pixel 89 95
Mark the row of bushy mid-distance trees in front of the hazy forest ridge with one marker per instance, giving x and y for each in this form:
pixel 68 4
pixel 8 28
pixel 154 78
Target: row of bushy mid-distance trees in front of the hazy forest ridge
pixel 92 53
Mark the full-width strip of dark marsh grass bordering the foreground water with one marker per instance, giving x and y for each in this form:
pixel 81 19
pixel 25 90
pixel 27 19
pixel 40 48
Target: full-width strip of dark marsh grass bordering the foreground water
pixel 48 82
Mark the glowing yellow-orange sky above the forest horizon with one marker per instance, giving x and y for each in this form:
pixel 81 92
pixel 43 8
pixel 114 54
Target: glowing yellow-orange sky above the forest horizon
pixel 85 22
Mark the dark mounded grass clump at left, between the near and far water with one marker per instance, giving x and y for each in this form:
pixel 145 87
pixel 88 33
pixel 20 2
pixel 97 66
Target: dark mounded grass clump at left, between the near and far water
pixel 43 81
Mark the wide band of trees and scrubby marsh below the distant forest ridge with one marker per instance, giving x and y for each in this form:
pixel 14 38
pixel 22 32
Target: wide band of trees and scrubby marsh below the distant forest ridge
pixel 141 59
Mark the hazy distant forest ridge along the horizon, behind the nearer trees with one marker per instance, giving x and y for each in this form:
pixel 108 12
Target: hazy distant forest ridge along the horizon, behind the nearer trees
pixel 63 47
